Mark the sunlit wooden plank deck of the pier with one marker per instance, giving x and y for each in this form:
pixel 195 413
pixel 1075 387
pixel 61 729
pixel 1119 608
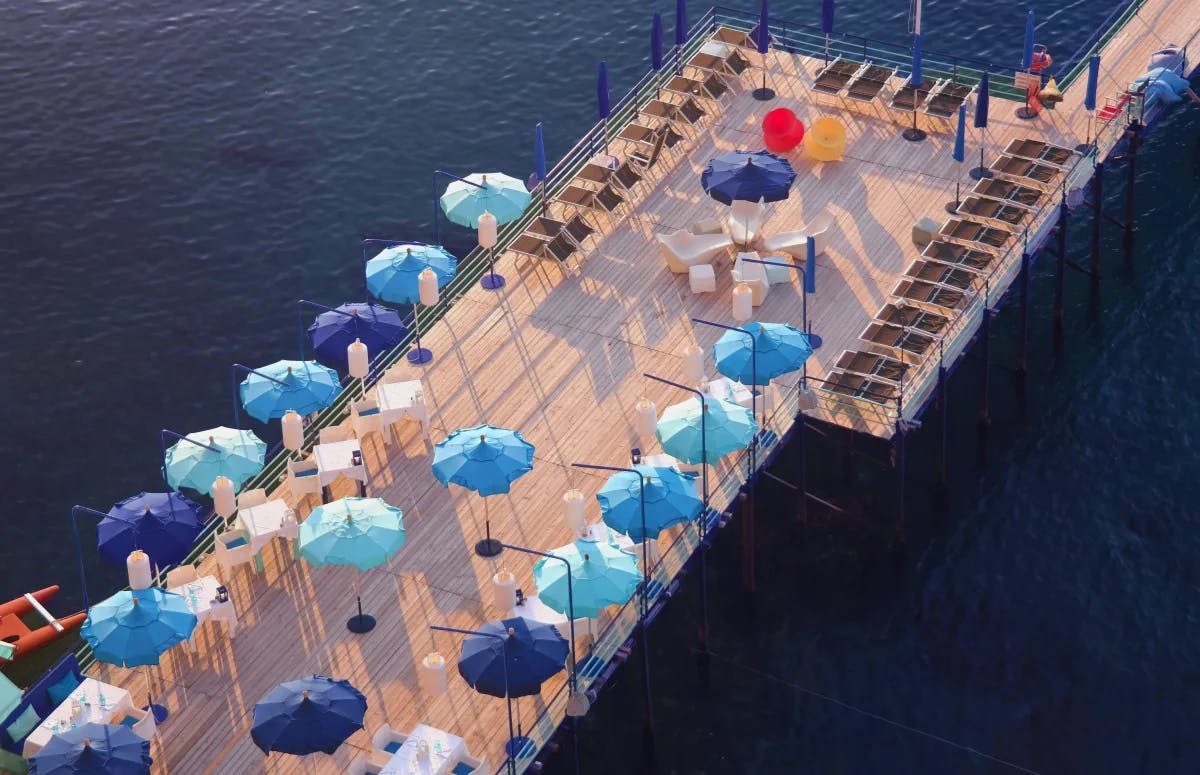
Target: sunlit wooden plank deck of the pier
pixel 561 356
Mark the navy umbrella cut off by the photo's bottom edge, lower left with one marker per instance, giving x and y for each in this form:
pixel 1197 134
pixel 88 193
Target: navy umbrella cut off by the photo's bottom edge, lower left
pixel 94 749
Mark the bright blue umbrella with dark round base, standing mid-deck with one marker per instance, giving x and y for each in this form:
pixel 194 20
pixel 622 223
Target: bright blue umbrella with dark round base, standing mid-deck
pixel 484 459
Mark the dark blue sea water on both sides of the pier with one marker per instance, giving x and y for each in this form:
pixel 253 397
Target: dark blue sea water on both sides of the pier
pixel 175 176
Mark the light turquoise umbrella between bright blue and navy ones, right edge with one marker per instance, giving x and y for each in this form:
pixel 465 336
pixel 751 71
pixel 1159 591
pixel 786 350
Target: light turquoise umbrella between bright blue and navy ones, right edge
pixel 602 576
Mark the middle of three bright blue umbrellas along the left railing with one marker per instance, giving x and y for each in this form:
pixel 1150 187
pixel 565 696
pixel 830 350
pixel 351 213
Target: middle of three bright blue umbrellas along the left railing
pixel 303 387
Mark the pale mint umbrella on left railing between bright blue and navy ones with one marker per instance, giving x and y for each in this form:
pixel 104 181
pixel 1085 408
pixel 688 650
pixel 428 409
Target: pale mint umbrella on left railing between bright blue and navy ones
pixel 221 452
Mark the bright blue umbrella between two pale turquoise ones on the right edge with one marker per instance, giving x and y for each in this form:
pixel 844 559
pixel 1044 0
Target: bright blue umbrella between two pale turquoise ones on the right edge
pixel 670 500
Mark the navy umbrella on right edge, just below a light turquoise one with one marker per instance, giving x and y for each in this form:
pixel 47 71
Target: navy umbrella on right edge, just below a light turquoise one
pixel 517 664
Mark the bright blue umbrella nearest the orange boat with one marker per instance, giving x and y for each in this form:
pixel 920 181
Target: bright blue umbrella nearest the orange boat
pixel 137 627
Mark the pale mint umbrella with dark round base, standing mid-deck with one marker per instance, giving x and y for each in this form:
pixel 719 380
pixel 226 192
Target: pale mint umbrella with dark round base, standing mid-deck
pixel 361 532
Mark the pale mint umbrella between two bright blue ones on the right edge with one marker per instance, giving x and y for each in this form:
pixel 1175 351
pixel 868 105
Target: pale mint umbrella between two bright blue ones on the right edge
pixel 728 428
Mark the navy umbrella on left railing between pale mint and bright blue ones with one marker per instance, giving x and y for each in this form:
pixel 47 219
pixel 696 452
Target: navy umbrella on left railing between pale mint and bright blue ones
pixel 164 525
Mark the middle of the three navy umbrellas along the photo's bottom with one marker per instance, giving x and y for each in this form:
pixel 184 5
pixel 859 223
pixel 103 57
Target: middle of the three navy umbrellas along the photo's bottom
pixel 308 716
